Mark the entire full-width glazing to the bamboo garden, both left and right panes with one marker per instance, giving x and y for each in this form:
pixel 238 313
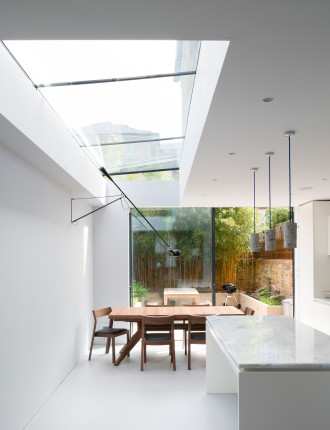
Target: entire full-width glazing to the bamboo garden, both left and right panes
pixel 158 278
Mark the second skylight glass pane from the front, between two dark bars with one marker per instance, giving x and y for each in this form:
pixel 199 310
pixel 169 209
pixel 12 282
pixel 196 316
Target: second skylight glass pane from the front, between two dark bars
pixel 122 111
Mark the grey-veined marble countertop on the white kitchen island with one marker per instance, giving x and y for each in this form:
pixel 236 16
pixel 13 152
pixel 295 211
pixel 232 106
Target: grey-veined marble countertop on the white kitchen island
pixel 271 342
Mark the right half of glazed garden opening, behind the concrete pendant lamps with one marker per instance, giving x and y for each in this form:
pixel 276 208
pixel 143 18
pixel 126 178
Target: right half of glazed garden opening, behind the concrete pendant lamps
pixel 266 275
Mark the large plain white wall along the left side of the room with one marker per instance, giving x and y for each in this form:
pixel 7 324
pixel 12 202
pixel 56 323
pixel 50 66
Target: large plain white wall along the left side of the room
pixel 45 288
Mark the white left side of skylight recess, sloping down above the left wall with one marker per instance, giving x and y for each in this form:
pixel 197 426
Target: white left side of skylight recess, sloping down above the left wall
pixel 30 127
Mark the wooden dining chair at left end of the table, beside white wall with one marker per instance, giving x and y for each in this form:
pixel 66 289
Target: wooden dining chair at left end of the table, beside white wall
pixel 108 332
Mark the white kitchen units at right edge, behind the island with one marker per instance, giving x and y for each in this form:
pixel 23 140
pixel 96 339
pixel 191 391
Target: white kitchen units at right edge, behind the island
pixel 313 265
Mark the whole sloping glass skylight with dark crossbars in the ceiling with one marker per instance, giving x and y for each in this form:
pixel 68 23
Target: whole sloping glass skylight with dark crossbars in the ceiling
pixel 126 103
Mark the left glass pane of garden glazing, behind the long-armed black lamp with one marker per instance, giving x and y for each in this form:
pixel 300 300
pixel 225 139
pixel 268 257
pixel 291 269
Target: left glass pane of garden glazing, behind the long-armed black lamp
pixel 155 272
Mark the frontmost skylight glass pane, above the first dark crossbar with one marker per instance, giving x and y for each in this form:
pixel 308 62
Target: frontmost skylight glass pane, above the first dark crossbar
pixel 50 61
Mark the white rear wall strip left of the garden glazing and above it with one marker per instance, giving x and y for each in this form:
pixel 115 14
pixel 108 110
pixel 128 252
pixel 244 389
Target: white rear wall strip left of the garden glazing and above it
pixel 111 238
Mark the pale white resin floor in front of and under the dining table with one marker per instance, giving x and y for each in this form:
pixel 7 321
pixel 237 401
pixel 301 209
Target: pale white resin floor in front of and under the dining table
pixel 97 394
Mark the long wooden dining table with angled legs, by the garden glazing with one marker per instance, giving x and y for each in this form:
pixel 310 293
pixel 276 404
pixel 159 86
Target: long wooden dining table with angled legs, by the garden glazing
pixel 134 314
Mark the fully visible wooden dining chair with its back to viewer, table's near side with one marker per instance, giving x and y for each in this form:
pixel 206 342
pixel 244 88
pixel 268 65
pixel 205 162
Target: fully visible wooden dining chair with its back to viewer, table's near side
pixel 150 324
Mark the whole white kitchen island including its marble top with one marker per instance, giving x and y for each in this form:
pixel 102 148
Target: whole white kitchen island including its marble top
pixel 279 367
